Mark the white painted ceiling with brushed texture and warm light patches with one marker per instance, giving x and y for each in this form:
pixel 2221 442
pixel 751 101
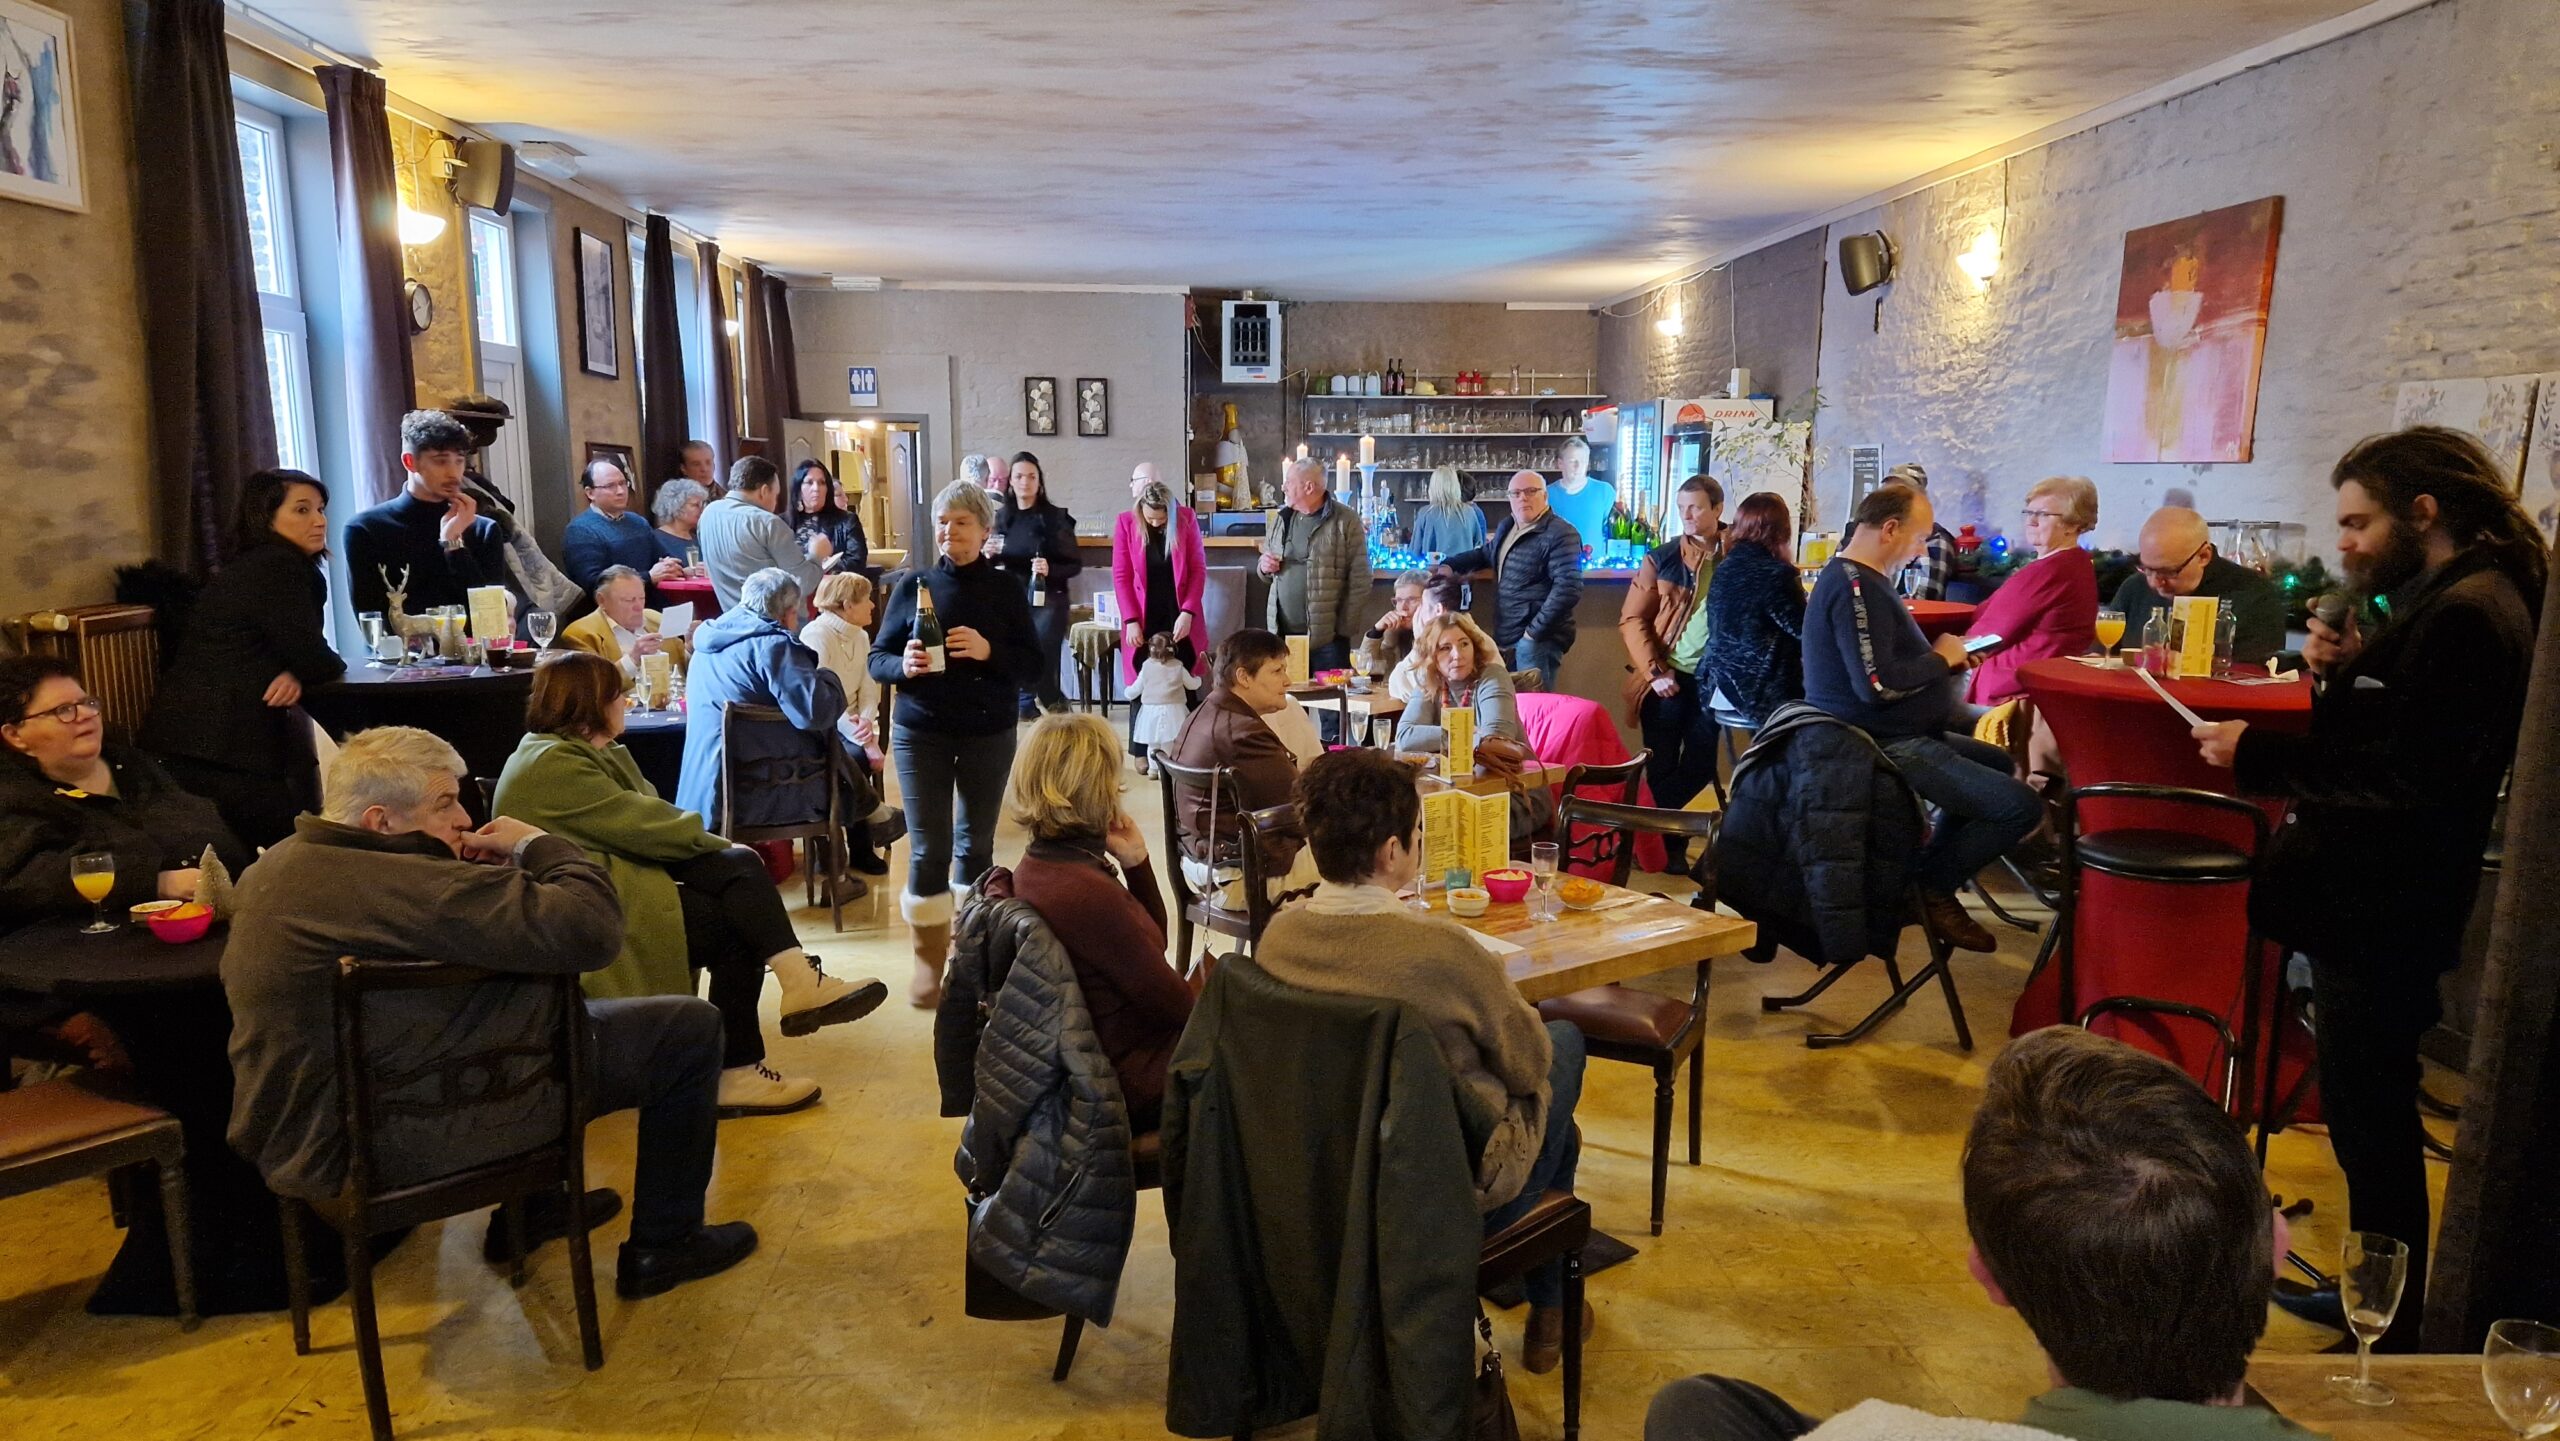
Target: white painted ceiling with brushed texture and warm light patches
pixel 1412 150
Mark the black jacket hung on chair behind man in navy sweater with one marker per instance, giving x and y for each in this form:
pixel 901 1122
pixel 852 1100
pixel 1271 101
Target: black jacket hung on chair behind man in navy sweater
pixel 1819 841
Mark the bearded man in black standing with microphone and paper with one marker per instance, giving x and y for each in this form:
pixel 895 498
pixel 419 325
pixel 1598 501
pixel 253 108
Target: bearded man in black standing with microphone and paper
pixel 2395 790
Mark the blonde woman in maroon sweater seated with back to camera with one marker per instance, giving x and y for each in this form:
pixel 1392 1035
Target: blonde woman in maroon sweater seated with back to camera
pixel 1089 877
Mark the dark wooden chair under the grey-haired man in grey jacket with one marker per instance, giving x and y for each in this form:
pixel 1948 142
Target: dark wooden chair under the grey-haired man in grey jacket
pixel 367 1207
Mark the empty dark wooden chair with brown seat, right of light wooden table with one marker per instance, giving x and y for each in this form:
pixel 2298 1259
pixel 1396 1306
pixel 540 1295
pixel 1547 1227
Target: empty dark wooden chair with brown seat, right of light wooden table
pixel 1642 1028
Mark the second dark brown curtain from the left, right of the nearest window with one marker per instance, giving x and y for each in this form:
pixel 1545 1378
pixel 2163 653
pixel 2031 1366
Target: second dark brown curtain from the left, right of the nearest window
pixel 380 375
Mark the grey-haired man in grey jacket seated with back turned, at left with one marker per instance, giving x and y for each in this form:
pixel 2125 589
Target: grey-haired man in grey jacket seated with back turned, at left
pixel 393 872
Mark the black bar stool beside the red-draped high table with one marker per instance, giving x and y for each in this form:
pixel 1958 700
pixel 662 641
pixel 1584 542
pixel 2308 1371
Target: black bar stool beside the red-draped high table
pixel 2167 859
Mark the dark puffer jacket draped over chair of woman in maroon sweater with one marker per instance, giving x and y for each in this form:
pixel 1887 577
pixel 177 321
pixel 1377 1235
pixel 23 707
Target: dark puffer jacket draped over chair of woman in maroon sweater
pixel 1046 1150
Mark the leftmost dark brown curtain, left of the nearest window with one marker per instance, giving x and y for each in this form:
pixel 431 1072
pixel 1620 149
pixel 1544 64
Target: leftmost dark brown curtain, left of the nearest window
pixel 214 416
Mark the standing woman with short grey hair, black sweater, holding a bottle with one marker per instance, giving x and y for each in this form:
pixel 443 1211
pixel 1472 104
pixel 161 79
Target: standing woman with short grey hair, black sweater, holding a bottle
pixel 954 726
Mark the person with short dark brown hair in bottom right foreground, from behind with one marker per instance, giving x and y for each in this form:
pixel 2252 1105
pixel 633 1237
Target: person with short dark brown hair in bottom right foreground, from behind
pixel 2124 1217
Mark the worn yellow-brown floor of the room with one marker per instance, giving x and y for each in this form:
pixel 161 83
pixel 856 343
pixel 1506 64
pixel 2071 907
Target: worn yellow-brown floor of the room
pixel 1819 1250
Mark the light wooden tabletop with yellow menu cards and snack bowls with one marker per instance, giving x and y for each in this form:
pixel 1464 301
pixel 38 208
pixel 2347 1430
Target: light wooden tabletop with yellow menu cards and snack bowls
pixel 1627 935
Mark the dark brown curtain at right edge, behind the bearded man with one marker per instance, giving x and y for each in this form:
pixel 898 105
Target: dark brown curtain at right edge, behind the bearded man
pixel 2500 1245
